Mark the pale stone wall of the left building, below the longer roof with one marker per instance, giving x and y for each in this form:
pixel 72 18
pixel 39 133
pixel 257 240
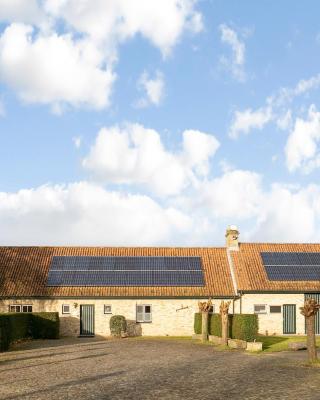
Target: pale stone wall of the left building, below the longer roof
pixel 173 317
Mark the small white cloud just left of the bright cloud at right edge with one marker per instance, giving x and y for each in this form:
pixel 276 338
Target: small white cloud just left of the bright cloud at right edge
pixel 245 121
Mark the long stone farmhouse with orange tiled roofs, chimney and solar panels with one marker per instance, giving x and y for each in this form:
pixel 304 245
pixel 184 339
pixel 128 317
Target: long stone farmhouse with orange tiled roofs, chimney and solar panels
pixel 157 289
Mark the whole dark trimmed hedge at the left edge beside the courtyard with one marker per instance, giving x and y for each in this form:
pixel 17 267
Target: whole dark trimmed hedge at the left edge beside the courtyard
pixel 16 326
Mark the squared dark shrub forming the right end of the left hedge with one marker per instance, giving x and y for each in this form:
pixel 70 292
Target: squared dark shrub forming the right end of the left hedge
pixel 45 325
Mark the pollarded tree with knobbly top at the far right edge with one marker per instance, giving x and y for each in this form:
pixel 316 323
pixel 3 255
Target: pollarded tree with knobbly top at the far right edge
pixel 309 310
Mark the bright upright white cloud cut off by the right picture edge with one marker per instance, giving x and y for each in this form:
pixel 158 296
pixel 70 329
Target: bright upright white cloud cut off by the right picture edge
pixel 302 145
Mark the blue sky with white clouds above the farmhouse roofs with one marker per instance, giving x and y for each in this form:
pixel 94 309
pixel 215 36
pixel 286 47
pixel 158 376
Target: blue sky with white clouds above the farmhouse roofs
pixel 159 123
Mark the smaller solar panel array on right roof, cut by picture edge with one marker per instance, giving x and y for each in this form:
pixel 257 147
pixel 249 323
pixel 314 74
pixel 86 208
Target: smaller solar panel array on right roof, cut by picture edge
pixel 287 266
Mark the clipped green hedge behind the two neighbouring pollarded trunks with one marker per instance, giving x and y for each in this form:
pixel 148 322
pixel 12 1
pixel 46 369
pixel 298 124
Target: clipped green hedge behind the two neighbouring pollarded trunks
pixel 241 326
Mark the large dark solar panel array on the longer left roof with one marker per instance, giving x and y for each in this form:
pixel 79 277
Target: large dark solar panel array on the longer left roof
pixel 125 271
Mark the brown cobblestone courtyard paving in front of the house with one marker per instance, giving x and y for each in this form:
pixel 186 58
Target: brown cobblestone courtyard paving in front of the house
pixel 151 369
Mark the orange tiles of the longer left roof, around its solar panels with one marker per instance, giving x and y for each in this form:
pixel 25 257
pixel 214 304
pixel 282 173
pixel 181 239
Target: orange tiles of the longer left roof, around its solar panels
pixel 24 272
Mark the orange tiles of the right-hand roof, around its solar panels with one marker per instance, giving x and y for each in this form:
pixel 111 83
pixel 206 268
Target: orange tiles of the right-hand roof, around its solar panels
pixel 250 272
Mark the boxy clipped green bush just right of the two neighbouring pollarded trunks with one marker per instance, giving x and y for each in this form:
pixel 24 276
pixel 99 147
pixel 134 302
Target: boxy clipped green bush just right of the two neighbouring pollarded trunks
pixel 245 326
